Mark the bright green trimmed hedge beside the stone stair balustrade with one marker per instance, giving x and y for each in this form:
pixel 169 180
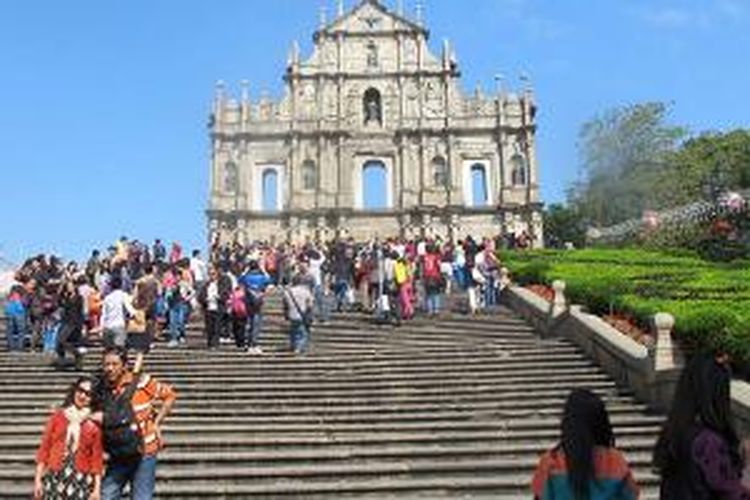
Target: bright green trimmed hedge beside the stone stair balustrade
pixel 710 301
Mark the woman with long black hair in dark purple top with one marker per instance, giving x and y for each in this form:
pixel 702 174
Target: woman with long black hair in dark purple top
pixel 698 451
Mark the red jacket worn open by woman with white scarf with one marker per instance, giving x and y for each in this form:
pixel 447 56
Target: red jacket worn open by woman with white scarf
pixel 89 458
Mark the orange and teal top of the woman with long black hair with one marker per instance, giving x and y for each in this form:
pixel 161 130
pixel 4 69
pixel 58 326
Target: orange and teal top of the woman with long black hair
pixel 612 477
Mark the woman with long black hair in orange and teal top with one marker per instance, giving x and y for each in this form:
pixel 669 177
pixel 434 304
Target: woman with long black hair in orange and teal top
pixel 584 465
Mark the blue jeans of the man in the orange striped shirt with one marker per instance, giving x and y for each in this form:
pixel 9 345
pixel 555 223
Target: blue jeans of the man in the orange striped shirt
pixel 141 475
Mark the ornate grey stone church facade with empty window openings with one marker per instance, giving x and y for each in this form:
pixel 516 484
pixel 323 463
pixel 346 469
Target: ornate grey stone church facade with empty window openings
pixel 373 138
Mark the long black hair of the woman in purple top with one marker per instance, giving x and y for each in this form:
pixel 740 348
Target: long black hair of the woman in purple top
pixel 701 399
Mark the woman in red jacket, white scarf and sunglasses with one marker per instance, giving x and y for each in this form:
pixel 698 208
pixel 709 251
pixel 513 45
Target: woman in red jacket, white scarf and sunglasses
pixel 70 457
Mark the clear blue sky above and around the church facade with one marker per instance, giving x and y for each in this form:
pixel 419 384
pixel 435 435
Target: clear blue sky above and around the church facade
pixel 103 105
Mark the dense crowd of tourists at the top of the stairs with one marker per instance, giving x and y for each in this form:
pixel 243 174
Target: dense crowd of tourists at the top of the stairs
pixel 136 293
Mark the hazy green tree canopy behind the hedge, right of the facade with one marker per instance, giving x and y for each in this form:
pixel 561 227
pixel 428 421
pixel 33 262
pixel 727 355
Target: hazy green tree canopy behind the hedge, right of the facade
pixel 633 160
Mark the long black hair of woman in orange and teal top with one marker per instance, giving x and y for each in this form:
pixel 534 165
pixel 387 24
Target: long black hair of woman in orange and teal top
pixel 585 425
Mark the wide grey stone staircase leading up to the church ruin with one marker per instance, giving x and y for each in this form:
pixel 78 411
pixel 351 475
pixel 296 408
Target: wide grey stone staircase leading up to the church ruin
pixel 456 407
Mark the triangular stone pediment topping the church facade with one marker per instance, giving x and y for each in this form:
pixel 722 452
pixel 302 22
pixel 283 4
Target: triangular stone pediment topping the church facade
pixel 371 17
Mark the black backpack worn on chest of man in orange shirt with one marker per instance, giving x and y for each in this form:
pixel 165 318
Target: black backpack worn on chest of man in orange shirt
pixel 122 439
